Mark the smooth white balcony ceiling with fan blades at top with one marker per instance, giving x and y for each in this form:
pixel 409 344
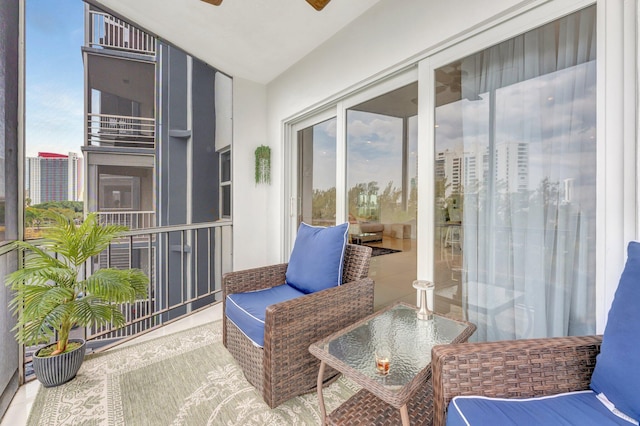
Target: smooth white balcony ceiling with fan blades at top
pixel 252 39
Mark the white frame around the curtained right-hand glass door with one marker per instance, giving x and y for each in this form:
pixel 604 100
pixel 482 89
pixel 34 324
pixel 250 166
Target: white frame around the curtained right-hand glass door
pixel 616 212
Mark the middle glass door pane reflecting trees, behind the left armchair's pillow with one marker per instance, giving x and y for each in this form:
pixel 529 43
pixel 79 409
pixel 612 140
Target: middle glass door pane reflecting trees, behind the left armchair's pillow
pixel 381 188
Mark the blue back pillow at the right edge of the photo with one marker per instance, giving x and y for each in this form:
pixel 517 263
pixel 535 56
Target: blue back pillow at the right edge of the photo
pixel 617 371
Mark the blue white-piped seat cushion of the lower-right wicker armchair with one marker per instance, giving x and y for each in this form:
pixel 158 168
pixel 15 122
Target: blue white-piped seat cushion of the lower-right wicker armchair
pixel 573 408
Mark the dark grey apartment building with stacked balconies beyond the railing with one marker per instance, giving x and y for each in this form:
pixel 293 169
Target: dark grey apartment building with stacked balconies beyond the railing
pixel 157 150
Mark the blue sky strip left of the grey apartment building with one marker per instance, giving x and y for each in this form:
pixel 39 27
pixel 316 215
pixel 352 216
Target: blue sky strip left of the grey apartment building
pixel 54 77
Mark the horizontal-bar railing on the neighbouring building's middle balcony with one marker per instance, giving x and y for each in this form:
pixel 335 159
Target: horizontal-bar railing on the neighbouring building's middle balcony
pixel 107 130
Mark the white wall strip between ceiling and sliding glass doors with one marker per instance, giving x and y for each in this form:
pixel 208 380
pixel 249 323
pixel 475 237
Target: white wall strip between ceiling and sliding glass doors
pixel 389 33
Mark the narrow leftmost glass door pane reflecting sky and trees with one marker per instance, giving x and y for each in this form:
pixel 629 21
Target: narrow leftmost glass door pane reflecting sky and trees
pixel 317 174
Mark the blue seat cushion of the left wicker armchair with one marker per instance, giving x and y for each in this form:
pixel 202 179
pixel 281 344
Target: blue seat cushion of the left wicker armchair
pixel 248 310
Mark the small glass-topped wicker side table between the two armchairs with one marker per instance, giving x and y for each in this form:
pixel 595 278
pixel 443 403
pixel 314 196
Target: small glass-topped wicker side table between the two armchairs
pixel 408 342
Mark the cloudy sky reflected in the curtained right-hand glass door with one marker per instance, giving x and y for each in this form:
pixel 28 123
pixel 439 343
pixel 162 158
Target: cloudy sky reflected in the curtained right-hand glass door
pixel 554 115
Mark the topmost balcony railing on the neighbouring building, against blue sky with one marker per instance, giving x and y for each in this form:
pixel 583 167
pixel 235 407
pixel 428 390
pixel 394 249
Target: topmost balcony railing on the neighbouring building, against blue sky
pixel 106 31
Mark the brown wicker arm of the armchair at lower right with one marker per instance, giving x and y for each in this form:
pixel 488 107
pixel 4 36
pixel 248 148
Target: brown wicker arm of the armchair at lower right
pixel 514 368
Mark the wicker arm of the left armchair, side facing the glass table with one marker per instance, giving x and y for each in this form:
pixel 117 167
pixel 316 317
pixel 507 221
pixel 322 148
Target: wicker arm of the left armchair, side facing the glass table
pixel 291 326
